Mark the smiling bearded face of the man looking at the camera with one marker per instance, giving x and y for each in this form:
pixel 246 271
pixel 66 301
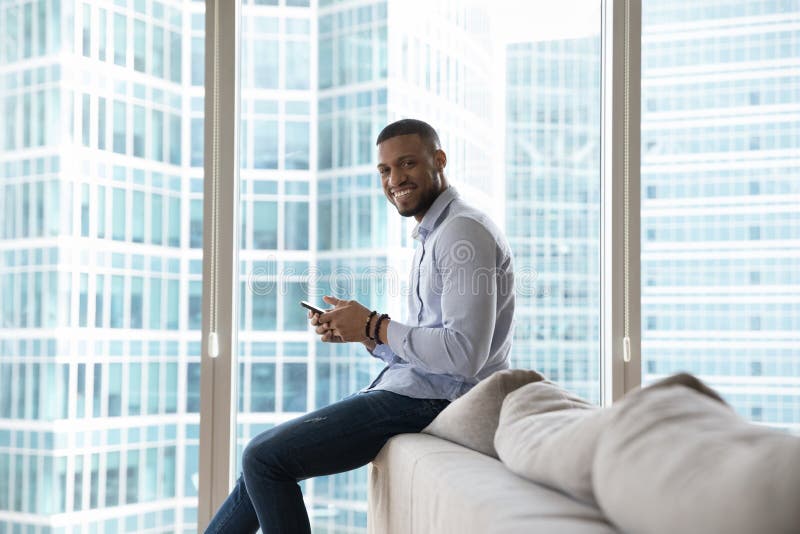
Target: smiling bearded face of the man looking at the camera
pixel 411 174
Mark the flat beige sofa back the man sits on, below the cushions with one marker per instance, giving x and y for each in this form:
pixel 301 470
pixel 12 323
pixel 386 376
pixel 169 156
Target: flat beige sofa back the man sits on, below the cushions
pixel 420 484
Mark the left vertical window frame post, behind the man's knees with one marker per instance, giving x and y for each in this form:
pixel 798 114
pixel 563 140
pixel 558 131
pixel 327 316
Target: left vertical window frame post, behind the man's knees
pixel 220 257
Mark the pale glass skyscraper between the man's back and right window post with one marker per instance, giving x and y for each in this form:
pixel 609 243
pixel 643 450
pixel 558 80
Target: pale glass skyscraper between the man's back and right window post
pixel 553 207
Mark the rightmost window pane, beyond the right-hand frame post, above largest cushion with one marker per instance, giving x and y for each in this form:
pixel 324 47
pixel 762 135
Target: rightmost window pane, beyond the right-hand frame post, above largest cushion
pixel 720 219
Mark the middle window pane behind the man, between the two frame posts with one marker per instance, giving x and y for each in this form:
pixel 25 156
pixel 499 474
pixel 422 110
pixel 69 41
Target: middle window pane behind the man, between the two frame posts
pixel 315 224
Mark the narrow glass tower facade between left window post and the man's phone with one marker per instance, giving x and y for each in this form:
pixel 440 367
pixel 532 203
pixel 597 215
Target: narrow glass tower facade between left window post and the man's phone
pixel 277 136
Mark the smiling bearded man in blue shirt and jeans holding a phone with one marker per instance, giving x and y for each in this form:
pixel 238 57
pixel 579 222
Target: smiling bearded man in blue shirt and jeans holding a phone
pixel 461 308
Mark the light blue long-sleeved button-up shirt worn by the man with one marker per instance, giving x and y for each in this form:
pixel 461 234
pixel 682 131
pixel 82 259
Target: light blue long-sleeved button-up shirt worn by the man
pixel 460 304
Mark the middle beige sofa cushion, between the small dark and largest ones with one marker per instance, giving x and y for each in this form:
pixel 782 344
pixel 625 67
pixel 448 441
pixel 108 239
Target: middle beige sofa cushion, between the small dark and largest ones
pixel 548 435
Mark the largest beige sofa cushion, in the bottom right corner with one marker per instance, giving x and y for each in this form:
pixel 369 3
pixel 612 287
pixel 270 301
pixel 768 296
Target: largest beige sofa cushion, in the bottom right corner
pixel 674 460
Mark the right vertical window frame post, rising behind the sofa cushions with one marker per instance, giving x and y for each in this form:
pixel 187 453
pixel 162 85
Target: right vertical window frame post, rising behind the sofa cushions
pixel 620 272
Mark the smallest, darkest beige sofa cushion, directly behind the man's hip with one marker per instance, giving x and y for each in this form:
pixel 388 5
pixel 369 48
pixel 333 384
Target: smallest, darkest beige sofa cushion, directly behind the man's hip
pixel 472 419
